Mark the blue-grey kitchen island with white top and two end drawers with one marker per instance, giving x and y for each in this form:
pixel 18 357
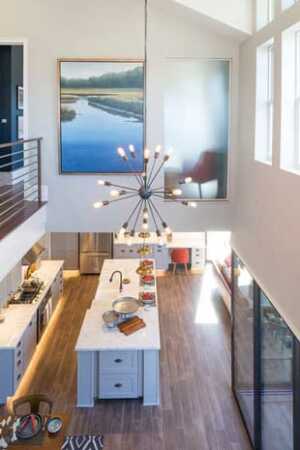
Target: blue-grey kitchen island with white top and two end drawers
pixel 111 364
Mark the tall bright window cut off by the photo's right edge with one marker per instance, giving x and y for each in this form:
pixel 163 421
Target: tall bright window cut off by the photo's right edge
pixel 290 139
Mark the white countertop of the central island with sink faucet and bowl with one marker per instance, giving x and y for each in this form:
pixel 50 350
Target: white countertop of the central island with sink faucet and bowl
pixel 95 336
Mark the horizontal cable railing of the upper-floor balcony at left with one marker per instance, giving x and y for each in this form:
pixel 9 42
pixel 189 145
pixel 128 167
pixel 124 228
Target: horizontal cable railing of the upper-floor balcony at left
pixel 20 181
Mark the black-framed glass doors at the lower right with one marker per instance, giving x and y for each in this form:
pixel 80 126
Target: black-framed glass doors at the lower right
pixel 266 369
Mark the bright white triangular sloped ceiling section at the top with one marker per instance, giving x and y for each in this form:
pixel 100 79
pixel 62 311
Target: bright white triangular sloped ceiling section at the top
pixel 235 13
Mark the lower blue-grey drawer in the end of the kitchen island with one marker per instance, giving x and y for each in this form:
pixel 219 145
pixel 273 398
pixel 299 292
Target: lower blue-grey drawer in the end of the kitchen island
pixel 118 386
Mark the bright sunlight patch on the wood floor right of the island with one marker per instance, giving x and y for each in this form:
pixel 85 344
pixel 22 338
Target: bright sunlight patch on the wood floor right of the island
pixel 206 313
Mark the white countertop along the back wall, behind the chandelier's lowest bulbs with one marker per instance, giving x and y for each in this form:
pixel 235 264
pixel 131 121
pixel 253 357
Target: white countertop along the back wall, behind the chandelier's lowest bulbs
pixel 179 240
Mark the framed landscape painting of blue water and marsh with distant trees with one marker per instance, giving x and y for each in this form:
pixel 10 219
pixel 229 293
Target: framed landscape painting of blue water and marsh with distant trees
pixel 101 108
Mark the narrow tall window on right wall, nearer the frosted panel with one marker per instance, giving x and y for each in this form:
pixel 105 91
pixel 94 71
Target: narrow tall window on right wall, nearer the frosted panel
pixel 264 103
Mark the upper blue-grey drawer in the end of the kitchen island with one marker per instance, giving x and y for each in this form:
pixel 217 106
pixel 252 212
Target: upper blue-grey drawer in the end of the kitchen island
pixel 115 362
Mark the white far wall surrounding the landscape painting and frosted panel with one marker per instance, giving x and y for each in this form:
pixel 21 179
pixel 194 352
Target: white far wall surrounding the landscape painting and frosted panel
pixel 114 28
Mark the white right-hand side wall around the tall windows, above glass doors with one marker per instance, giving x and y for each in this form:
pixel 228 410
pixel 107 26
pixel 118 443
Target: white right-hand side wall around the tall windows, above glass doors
pixel 266 231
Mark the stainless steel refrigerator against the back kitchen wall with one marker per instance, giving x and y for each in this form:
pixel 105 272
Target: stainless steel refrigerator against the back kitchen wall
pixel 95 248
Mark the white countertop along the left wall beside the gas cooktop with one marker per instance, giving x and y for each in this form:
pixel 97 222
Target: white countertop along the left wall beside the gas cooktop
pixel 18 317
